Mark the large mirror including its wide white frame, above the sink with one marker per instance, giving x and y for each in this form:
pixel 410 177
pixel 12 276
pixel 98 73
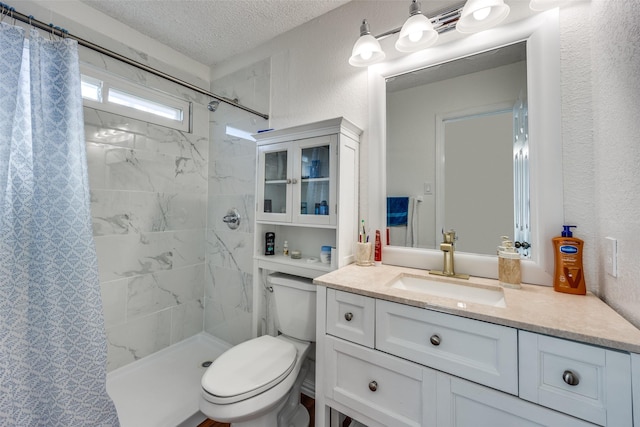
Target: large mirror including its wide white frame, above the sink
pixel 535 40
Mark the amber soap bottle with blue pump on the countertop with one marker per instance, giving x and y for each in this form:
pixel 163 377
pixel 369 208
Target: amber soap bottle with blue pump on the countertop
pixel 569 273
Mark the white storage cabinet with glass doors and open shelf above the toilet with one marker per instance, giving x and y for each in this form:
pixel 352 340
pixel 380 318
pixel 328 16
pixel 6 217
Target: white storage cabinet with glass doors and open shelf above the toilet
pixel 307 195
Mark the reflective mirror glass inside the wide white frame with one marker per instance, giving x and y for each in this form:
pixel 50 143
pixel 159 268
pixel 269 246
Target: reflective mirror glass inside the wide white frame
pixel 447 123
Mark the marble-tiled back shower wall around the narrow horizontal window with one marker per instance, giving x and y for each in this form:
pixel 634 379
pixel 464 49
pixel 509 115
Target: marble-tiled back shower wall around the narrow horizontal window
pixel 149 208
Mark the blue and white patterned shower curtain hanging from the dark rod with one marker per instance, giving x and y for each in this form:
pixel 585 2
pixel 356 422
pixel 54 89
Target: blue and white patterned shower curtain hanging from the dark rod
pixel 52 340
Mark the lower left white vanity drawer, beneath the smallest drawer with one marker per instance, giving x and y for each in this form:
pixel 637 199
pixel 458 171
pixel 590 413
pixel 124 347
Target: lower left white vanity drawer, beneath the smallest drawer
pixel 383 388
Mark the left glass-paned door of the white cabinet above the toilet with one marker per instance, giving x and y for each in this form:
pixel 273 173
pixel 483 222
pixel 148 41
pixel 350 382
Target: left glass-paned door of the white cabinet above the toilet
pixel 274 189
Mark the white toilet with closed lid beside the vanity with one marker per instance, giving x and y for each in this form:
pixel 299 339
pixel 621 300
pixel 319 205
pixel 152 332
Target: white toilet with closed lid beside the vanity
pixel 258 382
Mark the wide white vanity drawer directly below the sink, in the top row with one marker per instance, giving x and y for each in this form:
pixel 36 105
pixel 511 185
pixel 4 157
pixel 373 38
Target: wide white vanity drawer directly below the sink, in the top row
pixel 478 351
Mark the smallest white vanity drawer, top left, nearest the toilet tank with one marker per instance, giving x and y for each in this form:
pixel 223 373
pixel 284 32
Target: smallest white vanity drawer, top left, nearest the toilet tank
pixel 351 317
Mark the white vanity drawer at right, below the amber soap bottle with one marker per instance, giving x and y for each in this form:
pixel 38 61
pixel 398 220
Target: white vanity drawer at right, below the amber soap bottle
pixel 588 382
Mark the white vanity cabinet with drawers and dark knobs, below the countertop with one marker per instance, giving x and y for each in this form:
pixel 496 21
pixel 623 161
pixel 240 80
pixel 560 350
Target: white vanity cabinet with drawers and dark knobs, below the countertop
pixel 389 364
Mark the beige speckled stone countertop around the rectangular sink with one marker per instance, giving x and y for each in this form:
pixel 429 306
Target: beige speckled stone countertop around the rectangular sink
pixel 533 308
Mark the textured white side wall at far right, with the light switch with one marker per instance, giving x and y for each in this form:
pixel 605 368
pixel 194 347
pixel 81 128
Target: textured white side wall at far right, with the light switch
pixel 615 53
